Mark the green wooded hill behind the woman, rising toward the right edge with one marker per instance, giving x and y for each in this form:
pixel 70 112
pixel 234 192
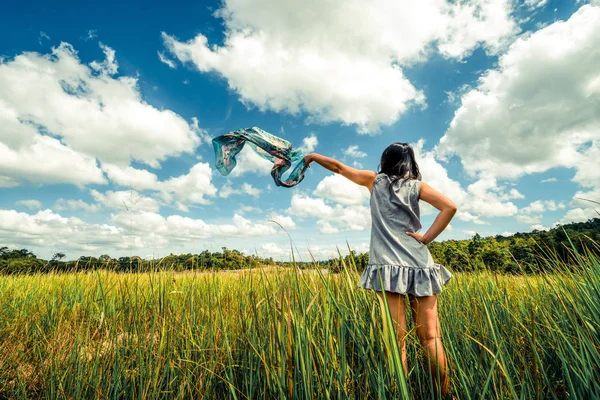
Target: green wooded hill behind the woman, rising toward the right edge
pixel 518 253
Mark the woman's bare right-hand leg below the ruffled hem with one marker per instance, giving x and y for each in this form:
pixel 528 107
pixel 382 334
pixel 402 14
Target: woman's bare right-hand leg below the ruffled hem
pixel 428 329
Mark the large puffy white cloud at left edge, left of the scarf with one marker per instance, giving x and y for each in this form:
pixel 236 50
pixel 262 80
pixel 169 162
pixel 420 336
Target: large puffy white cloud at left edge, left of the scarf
pixel 60 115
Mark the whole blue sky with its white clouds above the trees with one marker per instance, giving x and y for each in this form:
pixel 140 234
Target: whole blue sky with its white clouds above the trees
pixel 107 111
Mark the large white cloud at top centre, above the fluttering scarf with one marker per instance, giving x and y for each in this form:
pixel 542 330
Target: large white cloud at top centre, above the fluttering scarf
pixel 344 62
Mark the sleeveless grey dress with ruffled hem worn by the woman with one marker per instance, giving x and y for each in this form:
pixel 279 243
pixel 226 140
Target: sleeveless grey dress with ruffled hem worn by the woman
pixel 403 263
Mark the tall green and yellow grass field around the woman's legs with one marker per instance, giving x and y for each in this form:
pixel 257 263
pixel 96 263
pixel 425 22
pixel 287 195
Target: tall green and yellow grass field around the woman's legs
pixel 280 334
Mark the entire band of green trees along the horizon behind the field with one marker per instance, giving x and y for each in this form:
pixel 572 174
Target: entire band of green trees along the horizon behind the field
pixel 519 253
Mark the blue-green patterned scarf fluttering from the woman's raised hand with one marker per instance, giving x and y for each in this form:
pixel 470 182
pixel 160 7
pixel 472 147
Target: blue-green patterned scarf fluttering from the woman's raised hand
pixel 272 148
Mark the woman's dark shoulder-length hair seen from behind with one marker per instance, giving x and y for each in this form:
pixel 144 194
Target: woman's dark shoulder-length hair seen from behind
pixel 398 162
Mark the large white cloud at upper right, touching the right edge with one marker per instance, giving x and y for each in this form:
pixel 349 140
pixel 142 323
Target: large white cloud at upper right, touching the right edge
pixel 538 109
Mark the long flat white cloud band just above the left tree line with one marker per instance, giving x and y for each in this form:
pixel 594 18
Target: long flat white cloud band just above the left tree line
pixel 142 232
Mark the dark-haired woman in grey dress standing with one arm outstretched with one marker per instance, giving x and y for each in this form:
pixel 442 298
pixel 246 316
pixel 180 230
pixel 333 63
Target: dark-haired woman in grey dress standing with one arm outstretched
pixel 397 254
